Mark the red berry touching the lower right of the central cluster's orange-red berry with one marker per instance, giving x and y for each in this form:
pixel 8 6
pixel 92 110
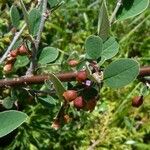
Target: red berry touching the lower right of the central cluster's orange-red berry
pixel 79 103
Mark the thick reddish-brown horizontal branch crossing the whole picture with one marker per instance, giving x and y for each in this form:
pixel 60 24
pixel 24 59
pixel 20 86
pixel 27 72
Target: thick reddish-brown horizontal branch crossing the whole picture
pixel 64 77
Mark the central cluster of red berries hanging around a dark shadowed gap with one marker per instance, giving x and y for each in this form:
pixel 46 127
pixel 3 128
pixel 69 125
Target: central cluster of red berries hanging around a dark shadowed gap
pixel 78 97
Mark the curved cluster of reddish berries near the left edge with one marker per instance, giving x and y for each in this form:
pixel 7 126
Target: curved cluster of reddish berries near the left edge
pixel 22 50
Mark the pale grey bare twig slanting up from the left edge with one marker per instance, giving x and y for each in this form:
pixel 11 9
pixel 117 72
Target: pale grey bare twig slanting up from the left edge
pixel 16 37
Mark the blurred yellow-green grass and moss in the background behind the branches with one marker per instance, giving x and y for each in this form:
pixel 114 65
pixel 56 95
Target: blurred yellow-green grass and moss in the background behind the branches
pixel 114 124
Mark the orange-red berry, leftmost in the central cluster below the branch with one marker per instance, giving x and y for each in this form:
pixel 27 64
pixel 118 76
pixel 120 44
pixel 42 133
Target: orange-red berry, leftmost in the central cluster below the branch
pixel 70 95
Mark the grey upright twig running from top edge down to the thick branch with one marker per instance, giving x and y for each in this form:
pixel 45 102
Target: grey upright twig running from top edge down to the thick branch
pixel 33 63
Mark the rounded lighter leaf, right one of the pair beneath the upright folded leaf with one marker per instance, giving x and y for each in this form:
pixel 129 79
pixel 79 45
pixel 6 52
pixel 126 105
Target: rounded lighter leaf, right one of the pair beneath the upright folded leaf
pixel 110 48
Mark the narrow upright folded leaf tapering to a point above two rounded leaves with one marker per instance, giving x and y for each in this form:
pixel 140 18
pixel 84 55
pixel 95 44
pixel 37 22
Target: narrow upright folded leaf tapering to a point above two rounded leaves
pixel 103 22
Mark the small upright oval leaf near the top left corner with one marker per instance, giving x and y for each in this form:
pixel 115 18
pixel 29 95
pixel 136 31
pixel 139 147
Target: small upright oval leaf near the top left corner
pixel 14 15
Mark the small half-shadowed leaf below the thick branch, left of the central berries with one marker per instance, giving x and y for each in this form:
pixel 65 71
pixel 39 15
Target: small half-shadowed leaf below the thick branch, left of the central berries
pixel 47 101
